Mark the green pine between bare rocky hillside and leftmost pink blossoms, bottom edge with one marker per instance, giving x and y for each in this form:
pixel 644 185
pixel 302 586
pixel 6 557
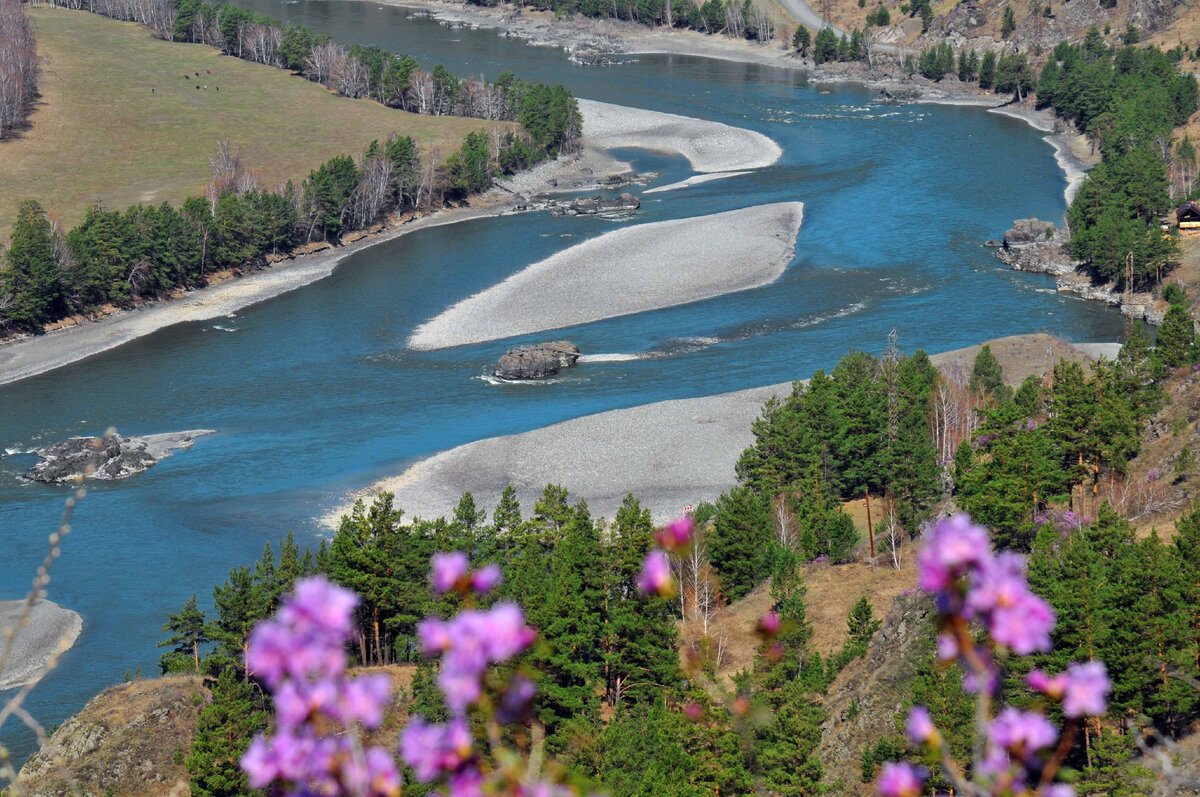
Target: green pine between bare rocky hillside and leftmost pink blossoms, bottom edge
pixel 224 732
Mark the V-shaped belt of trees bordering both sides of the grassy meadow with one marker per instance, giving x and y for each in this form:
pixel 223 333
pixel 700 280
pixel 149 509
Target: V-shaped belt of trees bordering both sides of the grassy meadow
pixel 116 257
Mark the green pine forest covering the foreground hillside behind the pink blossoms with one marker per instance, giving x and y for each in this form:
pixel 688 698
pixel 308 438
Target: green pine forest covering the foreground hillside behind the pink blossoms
pixel 623 710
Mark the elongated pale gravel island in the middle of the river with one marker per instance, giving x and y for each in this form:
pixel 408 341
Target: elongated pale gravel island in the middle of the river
pixel 629 271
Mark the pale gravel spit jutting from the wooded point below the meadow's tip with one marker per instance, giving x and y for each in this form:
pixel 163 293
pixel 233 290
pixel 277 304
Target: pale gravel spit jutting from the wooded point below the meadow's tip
pixel 709 146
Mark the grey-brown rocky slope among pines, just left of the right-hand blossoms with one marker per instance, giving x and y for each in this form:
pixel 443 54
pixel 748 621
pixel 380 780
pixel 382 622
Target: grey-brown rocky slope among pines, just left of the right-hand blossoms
pixel 871 693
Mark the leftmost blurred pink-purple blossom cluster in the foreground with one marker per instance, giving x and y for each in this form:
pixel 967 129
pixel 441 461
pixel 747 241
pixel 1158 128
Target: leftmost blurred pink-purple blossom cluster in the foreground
pixel 301 656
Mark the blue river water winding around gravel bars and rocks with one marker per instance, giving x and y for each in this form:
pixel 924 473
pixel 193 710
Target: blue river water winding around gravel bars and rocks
pixel 315 394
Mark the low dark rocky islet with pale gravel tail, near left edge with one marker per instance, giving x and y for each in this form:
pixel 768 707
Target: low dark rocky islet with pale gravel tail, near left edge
pixel 107 458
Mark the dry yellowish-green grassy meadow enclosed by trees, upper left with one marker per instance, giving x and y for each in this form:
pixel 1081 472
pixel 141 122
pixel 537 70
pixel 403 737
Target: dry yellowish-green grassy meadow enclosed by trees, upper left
pixel 119 123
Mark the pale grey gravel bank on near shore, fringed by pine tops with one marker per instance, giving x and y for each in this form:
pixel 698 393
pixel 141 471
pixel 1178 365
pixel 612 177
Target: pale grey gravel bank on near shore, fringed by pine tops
pixel 669 454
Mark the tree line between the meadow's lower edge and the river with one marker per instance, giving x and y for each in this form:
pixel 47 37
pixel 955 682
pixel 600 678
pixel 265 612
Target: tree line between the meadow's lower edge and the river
pixel 116 257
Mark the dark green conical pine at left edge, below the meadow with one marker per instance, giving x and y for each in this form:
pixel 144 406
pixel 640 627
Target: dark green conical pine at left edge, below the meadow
pixel 31 275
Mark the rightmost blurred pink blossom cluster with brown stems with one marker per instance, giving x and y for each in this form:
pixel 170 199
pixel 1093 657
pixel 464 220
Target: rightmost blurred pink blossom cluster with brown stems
pixel 1022 752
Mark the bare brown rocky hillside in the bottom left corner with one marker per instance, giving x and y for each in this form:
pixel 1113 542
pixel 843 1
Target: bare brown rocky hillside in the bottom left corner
pixel 130 740
